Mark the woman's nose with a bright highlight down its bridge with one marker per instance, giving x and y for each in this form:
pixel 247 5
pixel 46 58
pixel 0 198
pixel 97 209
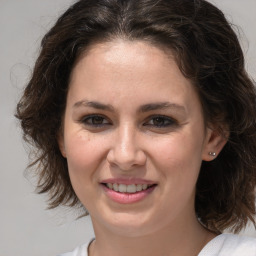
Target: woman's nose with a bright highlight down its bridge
pixel 126 152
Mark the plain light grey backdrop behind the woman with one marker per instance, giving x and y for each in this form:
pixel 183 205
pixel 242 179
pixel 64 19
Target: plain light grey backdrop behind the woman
pixel 26 227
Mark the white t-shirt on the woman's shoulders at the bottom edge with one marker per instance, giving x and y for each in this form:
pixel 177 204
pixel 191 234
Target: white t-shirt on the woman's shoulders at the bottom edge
pixel 222 245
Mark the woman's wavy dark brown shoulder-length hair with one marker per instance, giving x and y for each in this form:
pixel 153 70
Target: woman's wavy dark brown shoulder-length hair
pixel 207 52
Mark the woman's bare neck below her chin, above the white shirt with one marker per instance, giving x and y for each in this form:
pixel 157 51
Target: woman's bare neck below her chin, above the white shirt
pixel 180 240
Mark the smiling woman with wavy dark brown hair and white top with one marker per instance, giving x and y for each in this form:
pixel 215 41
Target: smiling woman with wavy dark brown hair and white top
pixel 142 112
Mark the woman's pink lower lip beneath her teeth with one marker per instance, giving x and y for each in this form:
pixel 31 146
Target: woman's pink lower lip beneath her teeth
pixel 127 198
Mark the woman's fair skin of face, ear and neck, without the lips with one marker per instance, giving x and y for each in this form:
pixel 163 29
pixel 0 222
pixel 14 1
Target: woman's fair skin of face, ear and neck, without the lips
pixel 128 139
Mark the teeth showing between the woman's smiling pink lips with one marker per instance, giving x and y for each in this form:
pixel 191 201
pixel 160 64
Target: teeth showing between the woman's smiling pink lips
pixel 131 188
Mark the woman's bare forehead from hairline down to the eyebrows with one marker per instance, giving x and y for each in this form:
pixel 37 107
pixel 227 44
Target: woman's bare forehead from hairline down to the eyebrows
pixel 130 69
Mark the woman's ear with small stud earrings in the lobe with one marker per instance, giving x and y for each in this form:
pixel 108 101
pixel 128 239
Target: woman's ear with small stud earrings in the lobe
pixel 215 140
